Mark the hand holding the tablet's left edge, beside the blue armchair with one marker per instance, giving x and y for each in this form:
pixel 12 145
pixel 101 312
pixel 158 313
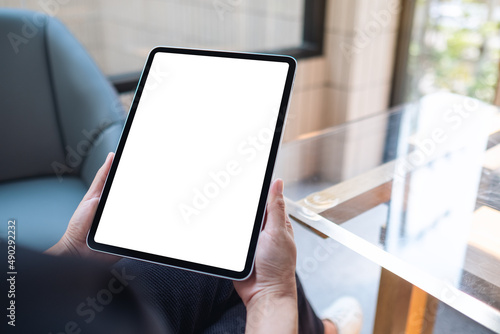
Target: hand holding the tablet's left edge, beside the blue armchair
pixel 73 242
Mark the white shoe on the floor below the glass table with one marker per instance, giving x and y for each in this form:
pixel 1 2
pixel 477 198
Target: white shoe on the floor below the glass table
pixel 346 314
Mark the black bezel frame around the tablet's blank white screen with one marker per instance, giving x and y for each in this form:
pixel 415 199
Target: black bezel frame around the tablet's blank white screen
pixel 259 217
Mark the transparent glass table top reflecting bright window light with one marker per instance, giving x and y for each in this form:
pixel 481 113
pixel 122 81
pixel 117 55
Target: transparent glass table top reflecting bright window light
pixel 415 189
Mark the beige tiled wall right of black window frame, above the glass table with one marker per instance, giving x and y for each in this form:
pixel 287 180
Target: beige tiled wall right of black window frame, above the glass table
pixel 353 78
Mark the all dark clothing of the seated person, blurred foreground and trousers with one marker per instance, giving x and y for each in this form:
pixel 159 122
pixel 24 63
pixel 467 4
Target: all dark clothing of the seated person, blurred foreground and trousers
pixel 65 294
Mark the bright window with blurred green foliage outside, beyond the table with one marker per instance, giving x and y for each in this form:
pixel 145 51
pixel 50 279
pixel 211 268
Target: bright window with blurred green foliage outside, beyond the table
pixel 452 45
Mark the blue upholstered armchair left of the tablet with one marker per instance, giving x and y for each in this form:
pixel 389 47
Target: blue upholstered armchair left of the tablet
pixel 59 117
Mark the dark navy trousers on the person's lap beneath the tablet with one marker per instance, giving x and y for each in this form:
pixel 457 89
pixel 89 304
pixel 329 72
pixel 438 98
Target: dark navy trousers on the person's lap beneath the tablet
pixel 194 303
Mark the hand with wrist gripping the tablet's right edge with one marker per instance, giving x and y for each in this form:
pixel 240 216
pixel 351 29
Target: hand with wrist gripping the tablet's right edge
pixel 270 293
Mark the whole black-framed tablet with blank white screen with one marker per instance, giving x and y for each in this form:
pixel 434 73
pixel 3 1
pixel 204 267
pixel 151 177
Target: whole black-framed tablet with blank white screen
pixel 189 182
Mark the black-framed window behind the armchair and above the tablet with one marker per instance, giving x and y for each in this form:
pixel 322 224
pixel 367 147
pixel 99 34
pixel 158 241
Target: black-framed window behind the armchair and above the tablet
pixel 119 33
